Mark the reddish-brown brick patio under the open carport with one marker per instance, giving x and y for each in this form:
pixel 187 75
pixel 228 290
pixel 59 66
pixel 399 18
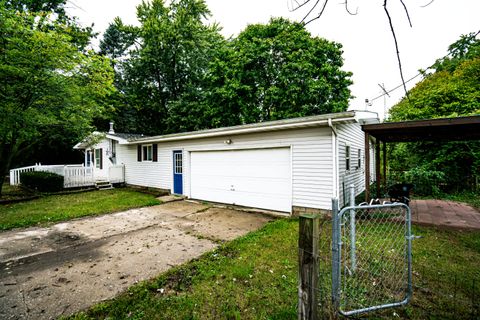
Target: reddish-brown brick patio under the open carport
pixel 445 214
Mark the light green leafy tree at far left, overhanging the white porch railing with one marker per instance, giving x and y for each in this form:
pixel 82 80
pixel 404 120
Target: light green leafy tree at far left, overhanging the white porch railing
pixel 49 84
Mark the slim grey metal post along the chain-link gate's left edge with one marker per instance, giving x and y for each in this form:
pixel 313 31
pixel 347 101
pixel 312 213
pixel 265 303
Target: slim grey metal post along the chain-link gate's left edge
pixel 335 255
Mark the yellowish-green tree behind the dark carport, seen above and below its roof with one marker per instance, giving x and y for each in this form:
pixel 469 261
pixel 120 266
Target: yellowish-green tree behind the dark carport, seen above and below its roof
pixel 450 89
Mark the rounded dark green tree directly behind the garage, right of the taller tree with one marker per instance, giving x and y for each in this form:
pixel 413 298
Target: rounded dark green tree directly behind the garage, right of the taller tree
pixel 279 71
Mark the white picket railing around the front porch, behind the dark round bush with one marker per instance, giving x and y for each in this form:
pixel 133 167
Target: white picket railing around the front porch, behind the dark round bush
pixel 74 175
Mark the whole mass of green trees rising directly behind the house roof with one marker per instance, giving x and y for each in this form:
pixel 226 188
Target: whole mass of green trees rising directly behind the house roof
pixel 174 73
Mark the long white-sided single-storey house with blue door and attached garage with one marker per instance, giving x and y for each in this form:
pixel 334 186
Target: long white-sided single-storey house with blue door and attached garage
pixel 286 165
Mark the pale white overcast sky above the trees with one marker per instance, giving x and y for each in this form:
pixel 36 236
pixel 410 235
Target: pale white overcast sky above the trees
pixel 368 45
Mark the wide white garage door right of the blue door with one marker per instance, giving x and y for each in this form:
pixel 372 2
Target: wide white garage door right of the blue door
pixel 258 178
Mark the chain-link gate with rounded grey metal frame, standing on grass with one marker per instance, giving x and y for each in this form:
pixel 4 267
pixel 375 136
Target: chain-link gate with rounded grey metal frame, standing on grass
pixel 371 258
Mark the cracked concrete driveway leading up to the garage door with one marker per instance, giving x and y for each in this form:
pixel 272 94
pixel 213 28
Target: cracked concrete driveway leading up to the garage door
pixel 54 271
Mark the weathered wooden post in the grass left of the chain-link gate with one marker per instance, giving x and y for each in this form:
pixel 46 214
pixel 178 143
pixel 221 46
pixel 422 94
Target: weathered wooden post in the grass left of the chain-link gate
pixel 308 260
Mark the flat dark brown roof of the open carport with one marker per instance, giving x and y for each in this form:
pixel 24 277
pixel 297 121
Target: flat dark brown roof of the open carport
pixel 445 129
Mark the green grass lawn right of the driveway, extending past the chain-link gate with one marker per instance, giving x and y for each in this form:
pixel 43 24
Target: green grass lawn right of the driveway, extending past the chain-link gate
pixel 255 277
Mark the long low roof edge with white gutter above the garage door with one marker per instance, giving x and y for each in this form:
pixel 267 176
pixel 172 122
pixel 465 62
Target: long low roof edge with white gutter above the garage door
pixel 304 122
